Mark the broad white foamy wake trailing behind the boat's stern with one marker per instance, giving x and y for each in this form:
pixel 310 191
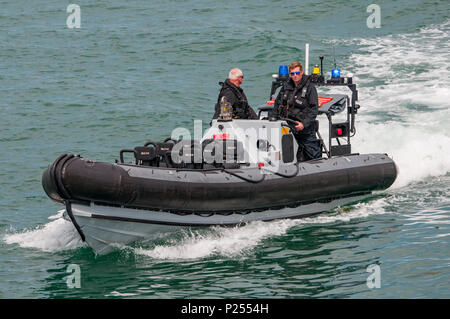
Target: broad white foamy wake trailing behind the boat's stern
pixel 405 97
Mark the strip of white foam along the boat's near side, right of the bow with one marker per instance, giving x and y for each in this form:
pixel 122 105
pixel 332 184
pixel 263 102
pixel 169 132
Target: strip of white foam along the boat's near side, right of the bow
pixel 238 241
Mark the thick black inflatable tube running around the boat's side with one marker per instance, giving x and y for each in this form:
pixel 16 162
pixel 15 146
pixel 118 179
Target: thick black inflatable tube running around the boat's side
pixel 111 184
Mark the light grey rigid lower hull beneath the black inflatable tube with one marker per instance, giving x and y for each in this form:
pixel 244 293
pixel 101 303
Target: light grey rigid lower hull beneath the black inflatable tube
pixel 107 228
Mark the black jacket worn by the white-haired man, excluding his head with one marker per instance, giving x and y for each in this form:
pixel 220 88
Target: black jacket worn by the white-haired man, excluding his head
pixel 236 96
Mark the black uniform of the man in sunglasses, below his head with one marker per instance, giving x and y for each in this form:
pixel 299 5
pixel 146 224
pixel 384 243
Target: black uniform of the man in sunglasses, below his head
pixel 300 103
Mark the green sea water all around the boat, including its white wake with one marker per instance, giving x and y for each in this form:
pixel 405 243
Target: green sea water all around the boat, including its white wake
pixel 136 70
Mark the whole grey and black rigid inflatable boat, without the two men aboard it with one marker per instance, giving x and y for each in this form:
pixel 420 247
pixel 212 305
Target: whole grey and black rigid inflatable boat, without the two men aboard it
pixel 239 171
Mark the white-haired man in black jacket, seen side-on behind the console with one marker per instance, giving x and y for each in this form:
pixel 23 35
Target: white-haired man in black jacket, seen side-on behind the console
pixel 232 90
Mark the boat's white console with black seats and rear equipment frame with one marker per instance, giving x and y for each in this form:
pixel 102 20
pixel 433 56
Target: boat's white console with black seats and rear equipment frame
pixel 234 143
